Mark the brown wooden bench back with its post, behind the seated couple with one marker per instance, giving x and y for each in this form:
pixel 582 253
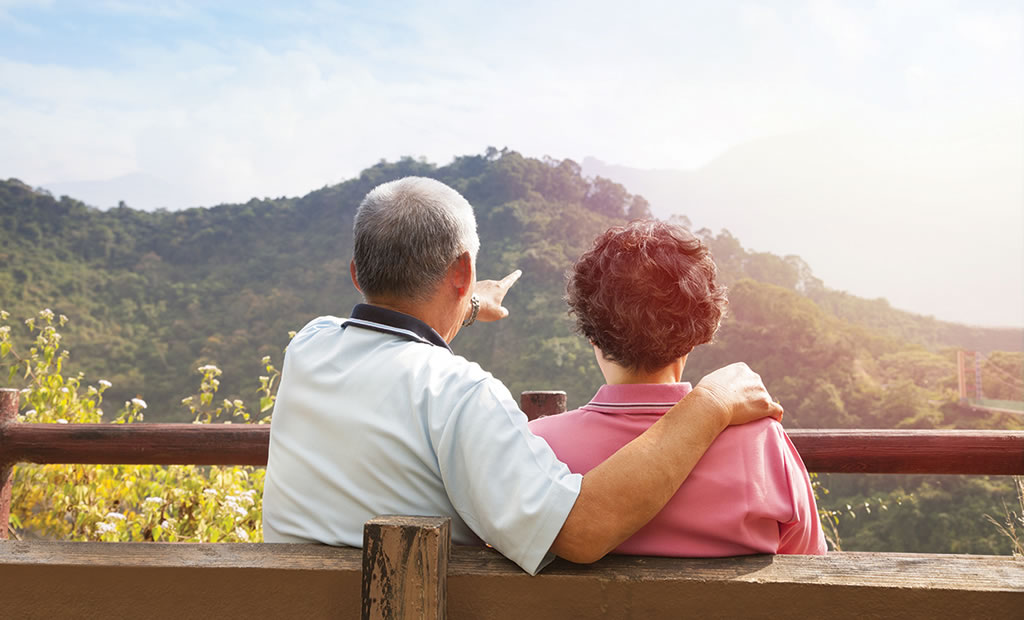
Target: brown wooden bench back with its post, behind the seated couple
pixel 179 581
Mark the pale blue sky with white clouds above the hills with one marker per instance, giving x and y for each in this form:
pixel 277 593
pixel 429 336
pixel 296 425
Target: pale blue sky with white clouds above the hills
pixel 184 103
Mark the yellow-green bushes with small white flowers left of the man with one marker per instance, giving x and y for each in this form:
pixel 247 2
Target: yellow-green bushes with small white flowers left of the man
pixel 123 503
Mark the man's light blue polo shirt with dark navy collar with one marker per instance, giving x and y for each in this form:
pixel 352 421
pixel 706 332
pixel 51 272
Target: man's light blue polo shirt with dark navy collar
pixel 375 416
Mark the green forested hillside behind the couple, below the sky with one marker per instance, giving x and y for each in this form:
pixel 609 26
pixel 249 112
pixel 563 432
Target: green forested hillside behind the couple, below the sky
pixel 154 296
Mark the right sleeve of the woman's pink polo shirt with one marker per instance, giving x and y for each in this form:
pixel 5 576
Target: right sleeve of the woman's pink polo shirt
pixel 802 535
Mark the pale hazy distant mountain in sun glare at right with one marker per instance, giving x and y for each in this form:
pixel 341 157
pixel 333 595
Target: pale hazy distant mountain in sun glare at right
pixel 947 215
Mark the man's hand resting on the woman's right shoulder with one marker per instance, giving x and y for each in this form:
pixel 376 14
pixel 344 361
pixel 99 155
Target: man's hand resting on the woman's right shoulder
pixel 740 394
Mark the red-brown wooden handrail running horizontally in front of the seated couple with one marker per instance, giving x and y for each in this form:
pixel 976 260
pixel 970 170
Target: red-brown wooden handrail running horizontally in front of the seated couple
pixel 861 451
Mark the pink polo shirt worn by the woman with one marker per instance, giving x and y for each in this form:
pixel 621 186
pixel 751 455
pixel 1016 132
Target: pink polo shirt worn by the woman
pixel 749 494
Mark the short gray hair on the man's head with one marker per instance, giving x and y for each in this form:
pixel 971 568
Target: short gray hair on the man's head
pixel 408 234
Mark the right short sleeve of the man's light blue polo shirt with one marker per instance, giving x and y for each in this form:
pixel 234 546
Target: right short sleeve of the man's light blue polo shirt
pixel 506 483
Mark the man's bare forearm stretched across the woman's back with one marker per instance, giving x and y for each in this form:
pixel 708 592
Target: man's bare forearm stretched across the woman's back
pixel 625 492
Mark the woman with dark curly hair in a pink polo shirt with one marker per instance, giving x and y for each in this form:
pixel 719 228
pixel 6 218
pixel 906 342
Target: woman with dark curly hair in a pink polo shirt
pixel 645 297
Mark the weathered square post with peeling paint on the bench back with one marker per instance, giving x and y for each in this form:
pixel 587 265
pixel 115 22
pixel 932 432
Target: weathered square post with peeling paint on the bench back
pixel 405 567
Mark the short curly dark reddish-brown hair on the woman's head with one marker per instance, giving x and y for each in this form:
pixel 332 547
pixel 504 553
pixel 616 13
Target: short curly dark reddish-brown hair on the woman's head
pixel 646 295
